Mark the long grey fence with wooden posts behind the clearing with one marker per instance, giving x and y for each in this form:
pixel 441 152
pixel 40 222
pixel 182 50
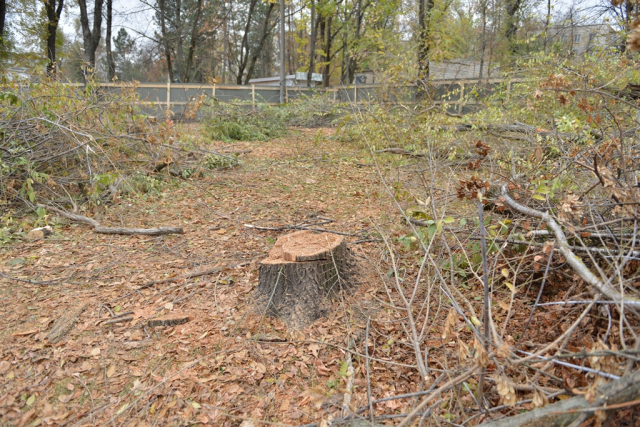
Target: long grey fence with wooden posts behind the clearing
pixel 461 96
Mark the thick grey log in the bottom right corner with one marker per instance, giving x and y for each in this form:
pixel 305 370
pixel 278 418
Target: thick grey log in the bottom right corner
pixel 608 397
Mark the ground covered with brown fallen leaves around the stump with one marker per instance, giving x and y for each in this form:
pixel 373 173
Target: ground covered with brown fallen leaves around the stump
pixel 226 363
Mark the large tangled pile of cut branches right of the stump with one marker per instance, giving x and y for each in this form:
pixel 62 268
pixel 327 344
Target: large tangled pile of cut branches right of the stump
pixel 516 276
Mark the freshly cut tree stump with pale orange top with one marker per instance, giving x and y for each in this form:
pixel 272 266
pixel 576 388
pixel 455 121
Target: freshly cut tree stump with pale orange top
pixel 303 271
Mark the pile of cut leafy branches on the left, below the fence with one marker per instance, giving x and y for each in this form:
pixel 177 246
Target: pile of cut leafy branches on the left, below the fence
pixel 70 146
